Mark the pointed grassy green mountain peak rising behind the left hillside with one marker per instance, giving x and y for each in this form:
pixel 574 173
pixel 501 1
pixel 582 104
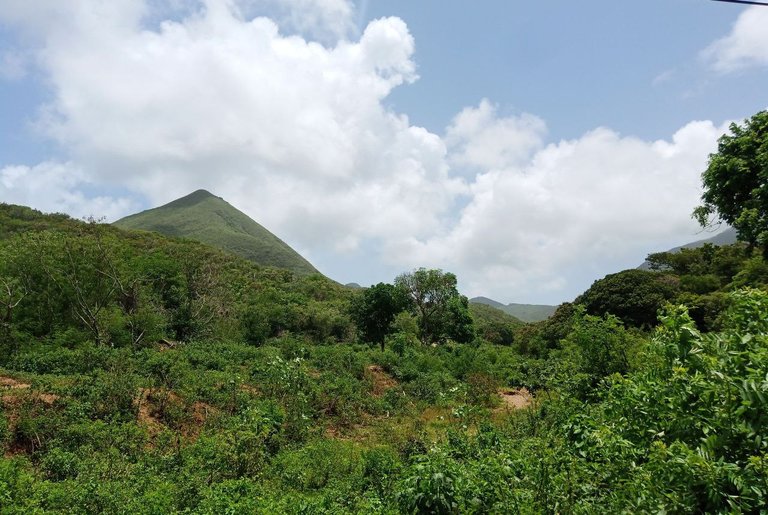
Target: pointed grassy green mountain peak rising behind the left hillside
pixel 209 219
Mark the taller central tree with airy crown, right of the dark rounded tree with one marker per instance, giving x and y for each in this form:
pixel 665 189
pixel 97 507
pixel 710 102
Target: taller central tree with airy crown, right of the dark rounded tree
pixel 442 312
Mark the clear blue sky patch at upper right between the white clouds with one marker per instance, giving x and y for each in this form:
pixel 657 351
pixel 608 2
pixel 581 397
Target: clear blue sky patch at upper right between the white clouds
pixel 631 66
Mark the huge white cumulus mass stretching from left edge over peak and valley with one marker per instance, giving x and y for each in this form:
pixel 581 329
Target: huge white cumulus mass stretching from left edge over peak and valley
pixel 295 133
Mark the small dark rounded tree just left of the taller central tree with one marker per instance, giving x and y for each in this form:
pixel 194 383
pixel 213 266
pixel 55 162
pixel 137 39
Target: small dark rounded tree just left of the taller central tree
pixel 374 310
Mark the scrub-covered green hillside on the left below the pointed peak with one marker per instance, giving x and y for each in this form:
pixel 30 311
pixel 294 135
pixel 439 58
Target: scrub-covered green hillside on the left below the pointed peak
pixel 135 290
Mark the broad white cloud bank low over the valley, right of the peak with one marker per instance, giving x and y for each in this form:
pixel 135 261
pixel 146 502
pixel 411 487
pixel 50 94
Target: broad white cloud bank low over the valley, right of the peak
pixel 573 209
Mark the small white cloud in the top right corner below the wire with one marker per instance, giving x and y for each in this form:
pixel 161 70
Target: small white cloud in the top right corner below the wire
pixel 746 46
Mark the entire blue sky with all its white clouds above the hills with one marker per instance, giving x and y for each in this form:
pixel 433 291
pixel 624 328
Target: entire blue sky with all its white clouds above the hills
pixel 530 148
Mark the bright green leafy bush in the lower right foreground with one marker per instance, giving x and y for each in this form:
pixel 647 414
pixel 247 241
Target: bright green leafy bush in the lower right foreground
pixel 694 421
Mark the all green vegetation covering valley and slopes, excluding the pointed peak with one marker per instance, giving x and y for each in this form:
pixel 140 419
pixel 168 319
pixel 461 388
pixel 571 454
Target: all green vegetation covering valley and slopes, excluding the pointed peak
pixel 146 374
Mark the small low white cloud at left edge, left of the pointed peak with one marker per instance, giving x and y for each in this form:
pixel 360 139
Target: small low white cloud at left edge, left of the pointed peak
pixel 58 187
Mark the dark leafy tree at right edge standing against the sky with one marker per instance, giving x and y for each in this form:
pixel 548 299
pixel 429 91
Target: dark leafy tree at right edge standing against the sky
pixel 736 182
